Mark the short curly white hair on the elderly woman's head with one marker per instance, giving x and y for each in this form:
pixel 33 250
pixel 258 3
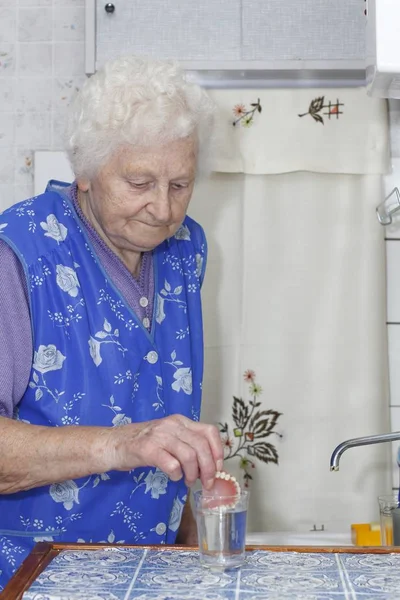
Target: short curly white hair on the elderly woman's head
pixel 135 101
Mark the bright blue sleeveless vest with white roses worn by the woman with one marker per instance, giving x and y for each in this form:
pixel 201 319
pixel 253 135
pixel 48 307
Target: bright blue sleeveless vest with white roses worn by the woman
pixel 95 364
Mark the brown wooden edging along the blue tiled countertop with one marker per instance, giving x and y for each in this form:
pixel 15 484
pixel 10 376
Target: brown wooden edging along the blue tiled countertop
pixel 44 552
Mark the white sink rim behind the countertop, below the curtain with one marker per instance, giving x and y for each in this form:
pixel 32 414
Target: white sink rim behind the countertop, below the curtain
pixel 290 538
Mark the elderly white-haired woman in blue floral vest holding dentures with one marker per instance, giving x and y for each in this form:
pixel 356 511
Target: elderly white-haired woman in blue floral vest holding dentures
pixel 101 353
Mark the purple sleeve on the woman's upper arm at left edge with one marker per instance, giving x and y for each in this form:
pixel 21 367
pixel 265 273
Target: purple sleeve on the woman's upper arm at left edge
pixel 15 332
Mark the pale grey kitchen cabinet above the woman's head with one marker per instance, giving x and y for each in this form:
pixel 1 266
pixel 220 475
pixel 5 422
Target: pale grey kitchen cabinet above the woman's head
pixel 228 34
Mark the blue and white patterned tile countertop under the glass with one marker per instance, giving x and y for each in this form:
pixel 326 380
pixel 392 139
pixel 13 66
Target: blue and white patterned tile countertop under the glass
pixel 142 574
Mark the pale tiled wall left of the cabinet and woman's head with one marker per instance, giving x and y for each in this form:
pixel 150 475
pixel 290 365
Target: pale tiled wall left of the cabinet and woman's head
pixel 41 65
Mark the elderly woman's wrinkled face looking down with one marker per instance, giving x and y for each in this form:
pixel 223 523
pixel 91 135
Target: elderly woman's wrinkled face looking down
pixel 140 197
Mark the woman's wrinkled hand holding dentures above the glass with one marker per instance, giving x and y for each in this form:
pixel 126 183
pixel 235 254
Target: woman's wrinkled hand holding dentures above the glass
pixel 175 444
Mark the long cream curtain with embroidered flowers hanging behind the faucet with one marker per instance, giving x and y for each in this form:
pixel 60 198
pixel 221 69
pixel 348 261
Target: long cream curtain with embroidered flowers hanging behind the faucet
pixel 295 290
